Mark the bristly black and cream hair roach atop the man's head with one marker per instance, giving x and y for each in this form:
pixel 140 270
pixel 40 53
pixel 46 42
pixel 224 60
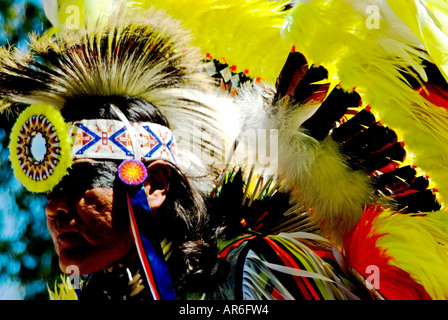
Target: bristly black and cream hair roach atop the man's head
pixel 146 55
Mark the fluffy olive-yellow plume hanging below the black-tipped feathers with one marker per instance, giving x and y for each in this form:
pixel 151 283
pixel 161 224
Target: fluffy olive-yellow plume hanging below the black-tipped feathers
pixel 324 182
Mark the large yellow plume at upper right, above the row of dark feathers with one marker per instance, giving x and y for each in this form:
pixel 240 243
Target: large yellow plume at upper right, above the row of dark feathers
pixel 341 36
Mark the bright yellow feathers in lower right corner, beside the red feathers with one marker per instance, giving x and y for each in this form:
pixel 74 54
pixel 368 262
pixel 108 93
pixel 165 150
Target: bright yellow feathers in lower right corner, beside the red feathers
pixel 418 245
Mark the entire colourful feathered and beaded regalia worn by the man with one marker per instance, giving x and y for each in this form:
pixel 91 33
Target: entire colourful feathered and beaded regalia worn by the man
pixel 319 128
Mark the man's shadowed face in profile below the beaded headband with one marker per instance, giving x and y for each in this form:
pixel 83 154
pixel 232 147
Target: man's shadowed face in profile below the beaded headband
pixel 88 222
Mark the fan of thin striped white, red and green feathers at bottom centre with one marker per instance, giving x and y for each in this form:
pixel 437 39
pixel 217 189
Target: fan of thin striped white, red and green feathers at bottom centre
pixel 291 257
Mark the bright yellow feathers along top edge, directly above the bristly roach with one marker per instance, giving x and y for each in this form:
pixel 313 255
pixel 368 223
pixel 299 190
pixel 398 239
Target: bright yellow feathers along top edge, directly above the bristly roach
pixel 245 33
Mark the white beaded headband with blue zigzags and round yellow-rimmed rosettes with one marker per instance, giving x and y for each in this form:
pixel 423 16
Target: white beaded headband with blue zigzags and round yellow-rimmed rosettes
pixel 43 146
